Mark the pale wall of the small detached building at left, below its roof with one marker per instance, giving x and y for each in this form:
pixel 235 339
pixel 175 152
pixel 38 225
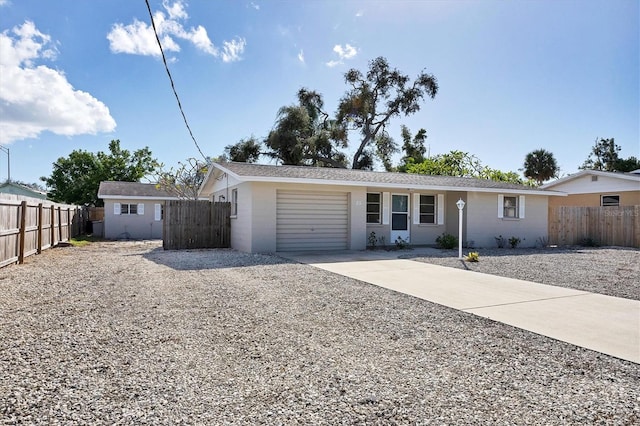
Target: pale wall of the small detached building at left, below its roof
pixel 137 227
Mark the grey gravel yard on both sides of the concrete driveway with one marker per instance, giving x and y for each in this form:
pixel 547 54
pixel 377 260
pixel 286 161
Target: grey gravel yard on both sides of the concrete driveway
pixel 126 333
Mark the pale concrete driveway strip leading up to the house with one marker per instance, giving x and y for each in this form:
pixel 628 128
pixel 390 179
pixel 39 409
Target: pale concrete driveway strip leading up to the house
pixel 610 325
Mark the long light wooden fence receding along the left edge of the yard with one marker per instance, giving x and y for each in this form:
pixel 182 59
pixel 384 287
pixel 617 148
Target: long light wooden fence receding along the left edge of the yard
pixel 28 227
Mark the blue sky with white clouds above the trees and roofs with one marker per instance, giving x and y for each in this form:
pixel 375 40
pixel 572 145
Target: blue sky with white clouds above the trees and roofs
pixel 514 76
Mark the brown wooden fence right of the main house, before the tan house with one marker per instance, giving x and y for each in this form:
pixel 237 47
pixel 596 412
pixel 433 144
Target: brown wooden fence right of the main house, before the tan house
pixel 610 226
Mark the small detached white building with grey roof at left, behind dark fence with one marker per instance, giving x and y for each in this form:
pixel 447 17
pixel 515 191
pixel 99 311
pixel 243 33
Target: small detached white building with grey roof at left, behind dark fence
pixel 133 210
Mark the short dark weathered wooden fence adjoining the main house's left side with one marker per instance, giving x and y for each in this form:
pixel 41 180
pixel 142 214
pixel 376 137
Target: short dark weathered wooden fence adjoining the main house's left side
pixel 190 224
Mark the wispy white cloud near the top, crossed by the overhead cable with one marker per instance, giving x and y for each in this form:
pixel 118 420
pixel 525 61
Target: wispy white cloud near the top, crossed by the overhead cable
pixel 138 38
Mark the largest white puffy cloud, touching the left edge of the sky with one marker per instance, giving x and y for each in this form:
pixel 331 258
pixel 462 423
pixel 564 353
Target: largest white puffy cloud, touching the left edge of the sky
pixel 36 98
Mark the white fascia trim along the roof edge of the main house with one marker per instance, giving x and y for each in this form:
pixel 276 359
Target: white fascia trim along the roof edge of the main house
pixel 385 185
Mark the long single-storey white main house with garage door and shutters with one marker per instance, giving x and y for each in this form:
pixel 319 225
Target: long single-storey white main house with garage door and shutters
pixel 289 208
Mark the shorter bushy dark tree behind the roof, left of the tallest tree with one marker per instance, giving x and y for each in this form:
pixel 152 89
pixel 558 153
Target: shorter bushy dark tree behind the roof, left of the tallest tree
pixel 304 135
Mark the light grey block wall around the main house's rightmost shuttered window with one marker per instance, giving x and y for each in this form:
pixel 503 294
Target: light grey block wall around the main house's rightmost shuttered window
pixel 483 223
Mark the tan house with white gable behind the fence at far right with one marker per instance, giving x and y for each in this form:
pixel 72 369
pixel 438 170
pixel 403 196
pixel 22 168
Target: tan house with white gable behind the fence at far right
pixel 594 188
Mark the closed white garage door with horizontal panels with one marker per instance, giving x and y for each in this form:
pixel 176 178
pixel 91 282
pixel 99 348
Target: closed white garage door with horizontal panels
pixel 311 221
